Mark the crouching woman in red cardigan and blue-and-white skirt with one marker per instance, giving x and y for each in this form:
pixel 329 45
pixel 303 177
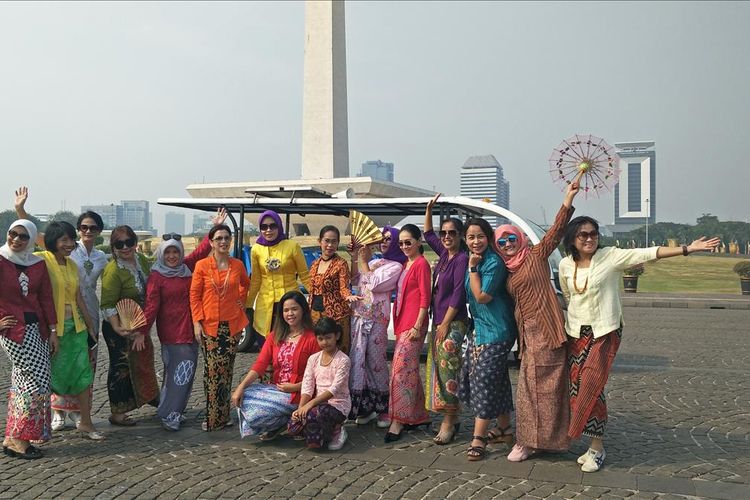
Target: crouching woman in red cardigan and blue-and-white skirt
pixel 265 409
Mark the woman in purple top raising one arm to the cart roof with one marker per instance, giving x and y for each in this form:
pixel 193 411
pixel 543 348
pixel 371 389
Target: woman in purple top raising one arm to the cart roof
pixel 450 321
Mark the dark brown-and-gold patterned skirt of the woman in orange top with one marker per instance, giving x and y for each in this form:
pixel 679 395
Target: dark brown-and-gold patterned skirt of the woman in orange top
pixel 218 353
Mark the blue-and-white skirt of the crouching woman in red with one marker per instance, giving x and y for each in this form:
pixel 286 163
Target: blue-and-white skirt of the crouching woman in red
pixel 264 408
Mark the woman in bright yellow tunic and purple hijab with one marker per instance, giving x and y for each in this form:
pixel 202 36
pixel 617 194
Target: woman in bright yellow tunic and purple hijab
pixel 277 263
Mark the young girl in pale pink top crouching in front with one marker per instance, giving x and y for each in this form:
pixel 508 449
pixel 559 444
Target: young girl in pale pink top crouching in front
pixel 325 399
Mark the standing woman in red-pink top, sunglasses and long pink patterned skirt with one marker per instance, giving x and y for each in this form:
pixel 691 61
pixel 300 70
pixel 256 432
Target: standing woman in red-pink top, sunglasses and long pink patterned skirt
pixel 410 325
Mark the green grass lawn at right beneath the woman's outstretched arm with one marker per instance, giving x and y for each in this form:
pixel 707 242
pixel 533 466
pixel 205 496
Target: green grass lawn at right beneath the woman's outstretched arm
pixel 693 274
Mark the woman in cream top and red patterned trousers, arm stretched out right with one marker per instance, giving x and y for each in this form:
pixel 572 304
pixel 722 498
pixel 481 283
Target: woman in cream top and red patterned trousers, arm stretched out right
pixel 590 282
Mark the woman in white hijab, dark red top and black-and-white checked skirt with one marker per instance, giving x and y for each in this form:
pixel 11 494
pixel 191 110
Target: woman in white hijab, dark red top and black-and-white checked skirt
pixel 27 325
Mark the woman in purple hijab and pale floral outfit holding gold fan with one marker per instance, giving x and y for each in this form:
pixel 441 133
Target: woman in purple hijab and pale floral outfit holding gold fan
pixel 376 280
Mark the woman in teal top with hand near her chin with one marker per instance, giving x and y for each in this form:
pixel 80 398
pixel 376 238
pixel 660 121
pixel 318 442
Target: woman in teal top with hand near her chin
pixel 485 384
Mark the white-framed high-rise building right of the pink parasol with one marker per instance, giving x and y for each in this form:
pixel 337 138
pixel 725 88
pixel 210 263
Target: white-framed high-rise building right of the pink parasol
pixel 635 191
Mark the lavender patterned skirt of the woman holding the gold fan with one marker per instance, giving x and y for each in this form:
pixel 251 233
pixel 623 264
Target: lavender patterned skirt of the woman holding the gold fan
pixel 368 376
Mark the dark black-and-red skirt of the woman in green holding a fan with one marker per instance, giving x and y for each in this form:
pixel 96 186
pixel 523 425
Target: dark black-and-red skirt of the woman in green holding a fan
pixel 131 380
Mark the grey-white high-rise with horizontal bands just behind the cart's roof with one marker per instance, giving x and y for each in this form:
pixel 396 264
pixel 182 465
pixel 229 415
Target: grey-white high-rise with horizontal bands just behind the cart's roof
pixel 482 179
